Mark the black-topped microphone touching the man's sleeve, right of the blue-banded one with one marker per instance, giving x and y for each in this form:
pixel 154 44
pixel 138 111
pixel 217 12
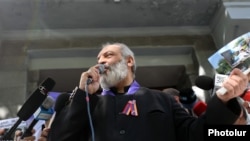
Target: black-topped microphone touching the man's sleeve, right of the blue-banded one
pixel 61 101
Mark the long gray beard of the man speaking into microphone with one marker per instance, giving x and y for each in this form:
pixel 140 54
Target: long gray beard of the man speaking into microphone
pixel 116 73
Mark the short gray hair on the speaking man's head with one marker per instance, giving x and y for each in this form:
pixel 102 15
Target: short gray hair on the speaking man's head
pixel 125 51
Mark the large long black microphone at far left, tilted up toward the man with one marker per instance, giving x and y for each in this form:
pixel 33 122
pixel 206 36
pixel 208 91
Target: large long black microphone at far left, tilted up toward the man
pixel 31 105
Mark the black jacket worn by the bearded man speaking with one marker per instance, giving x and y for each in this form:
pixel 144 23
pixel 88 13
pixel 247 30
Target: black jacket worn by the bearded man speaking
pixel 160 118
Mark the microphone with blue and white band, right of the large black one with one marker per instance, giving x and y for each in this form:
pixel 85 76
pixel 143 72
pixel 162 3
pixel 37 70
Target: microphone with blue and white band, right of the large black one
pixel 44 112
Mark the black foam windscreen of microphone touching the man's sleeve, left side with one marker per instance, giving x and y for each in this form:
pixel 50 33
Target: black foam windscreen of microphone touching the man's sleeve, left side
pixel 61 101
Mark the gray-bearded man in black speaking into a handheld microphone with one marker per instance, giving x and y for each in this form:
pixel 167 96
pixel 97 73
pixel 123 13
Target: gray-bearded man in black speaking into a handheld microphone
pixel 127 111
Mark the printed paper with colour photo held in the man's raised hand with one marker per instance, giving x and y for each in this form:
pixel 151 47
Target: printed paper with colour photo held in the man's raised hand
pixel 236 54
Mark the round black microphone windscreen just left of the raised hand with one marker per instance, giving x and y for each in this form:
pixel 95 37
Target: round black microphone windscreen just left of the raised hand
pixel 204 82
